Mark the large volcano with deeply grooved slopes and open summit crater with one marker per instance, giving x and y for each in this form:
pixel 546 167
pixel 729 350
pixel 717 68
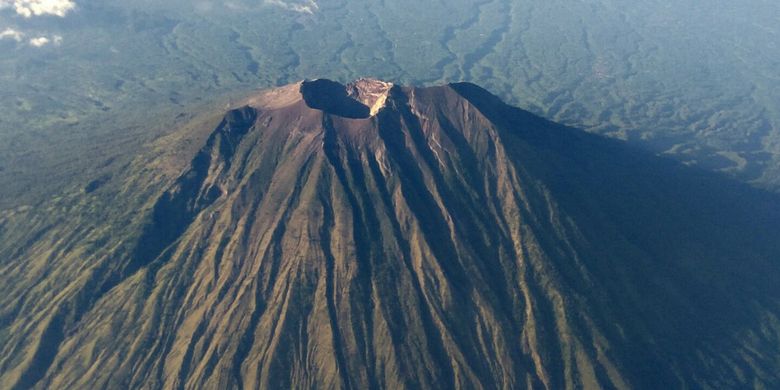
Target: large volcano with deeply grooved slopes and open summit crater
pixel 440 239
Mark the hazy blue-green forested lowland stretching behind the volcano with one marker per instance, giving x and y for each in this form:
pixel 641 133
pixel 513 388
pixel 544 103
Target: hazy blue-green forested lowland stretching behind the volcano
pixel 692 80
